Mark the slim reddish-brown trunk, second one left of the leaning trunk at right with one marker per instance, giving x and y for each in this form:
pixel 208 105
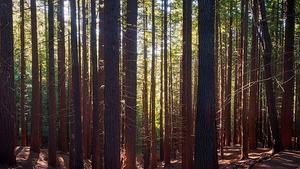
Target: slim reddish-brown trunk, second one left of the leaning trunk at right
pixel 244 116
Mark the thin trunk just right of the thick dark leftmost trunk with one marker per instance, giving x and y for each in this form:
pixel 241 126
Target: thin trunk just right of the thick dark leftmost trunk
pixel 23 77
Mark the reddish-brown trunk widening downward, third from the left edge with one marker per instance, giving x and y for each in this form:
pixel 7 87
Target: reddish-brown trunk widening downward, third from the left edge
pixel 35 124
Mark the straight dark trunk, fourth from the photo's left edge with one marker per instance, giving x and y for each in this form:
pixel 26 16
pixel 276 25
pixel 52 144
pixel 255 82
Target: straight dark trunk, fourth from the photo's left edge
pixel 51 90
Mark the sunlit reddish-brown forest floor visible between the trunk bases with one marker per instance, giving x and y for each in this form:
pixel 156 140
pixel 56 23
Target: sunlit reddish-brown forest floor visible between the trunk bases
pixel 258 159
